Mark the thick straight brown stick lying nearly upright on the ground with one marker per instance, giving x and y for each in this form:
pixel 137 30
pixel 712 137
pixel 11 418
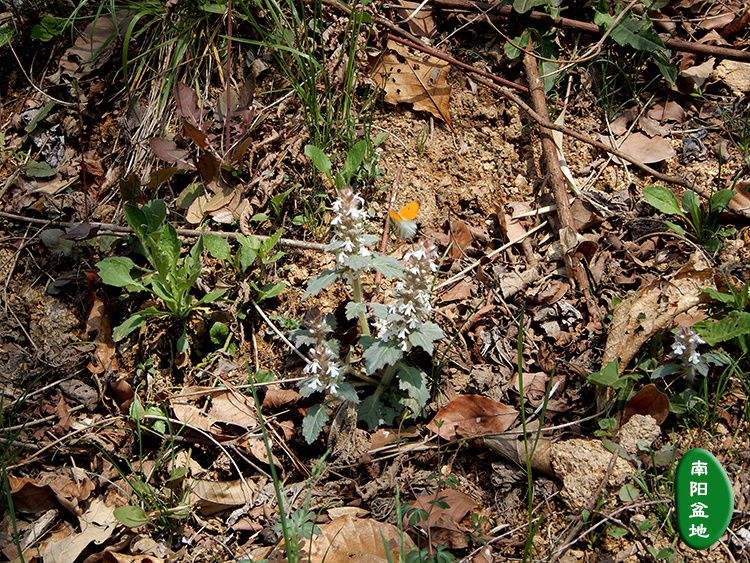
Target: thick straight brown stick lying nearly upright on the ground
pixel 568 231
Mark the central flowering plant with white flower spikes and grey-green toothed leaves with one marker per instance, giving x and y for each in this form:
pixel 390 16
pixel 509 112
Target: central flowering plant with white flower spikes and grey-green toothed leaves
pixel 397 327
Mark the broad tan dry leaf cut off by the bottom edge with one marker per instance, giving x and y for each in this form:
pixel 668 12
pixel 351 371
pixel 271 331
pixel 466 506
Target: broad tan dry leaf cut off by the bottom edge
pixel 348 539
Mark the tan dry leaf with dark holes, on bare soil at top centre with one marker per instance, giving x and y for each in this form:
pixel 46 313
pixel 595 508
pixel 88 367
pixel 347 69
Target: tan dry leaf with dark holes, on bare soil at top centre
pixel 417 79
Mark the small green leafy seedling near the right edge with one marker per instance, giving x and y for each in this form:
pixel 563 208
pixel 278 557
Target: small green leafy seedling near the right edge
pixel 698 221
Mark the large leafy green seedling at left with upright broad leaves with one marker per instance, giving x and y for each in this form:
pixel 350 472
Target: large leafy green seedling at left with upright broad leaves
pixel 172 278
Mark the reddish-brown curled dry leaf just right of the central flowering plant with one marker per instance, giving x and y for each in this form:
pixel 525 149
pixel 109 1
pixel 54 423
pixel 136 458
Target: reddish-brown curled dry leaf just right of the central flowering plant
pixel 467 416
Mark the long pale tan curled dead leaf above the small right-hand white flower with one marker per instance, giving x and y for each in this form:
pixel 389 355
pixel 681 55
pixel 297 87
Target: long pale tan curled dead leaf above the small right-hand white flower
pixel 654 307
